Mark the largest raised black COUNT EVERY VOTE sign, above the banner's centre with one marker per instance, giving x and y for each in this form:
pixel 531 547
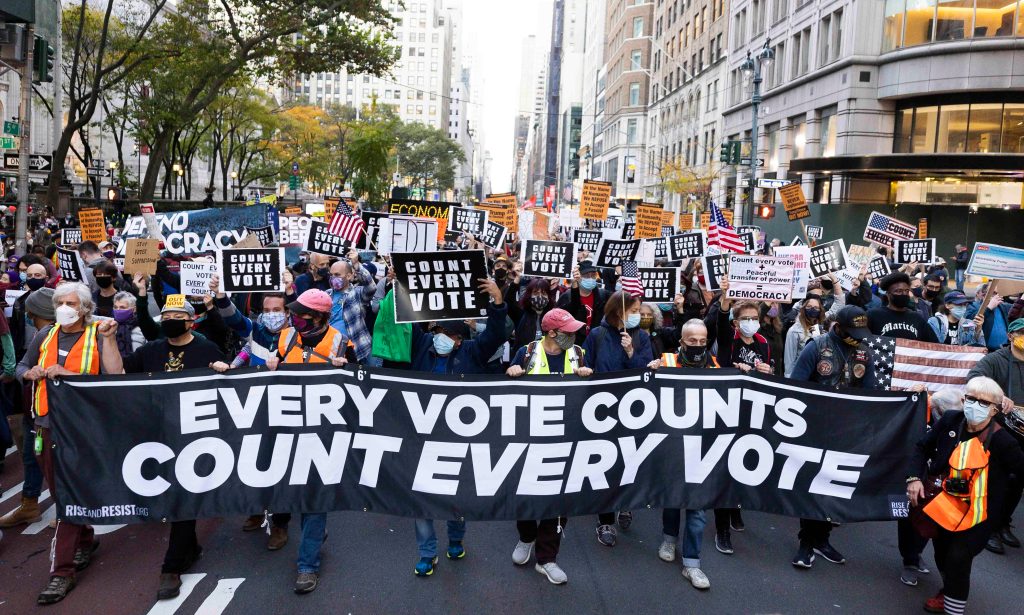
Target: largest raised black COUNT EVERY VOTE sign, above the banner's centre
pixel 440 286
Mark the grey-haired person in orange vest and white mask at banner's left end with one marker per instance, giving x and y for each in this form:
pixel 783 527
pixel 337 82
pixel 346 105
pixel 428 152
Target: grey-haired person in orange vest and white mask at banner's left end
pixel 75 345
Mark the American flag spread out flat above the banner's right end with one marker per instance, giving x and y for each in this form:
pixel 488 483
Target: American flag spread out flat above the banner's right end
pixel 900 365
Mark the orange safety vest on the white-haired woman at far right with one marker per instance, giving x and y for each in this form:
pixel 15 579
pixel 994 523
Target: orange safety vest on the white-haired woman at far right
pixel 959 512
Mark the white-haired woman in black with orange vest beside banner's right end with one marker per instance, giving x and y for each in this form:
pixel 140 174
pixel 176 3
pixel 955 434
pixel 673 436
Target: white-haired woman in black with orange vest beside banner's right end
pixel 972 458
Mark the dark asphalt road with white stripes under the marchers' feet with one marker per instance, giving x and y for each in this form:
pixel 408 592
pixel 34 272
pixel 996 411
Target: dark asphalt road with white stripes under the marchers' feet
pixel 368 568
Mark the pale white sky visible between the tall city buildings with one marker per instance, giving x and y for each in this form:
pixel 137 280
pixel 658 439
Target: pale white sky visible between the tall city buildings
pixel 493 35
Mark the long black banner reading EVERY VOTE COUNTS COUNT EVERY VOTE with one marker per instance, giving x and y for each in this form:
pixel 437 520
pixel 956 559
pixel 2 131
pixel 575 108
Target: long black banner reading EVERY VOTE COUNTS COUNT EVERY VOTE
pixel 312 440
